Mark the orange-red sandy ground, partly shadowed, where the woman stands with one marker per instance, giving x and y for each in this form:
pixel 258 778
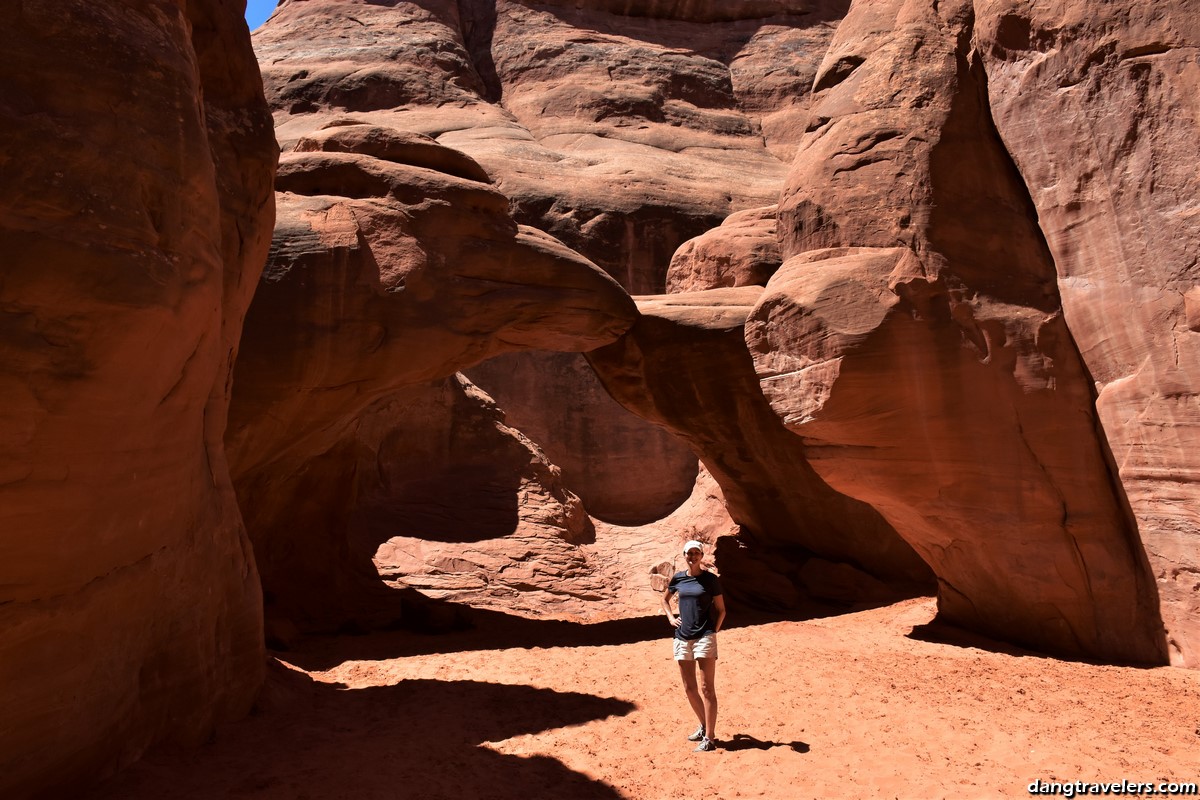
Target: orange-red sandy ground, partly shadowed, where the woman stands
pixel 841 707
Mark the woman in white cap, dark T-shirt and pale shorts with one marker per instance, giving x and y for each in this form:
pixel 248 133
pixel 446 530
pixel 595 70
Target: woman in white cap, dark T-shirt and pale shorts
pixel 701 616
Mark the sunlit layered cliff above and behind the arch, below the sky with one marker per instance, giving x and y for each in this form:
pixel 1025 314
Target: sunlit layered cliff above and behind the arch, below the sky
pixel 622 129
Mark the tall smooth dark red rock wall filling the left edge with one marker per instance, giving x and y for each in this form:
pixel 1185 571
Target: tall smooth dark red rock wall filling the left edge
pixel 136 210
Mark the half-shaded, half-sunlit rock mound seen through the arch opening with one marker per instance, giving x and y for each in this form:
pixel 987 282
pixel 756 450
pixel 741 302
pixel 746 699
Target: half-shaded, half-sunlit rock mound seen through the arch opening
pixel 461 507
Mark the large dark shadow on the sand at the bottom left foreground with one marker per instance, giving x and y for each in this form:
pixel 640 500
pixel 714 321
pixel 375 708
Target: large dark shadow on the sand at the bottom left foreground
pixel 413 739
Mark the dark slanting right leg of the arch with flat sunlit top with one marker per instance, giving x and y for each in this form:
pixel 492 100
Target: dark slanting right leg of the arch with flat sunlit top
pixel 685 365
